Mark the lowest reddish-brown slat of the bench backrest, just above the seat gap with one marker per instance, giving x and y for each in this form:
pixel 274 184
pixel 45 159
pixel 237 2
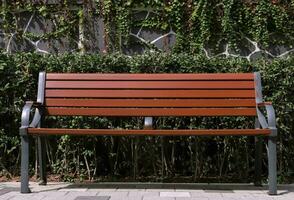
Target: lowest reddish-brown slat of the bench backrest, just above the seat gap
pixel 152 111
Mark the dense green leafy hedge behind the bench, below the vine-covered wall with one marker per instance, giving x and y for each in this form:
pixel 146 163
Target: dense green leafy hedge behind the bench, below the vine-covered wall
pixel 152 158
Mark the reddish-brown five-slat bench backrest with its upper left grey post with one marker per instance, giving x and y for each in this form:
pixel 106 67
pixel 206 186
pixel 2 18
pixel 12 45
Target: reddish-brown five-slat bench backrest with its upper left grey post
pixel 230 94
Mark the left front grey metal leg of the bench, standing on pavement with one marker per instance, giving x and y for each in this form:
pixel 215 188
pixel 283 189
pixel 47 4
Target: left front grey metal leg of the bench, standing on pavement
pixel 24 188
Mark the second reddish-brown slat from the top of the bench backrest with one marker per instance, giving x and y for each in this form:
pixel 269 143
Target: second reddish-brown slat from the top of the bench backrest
pixel 151 84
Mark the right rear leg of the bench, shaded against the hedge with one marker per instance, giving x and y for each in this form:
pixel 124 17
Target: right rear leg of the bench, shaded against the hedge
pixel 258 161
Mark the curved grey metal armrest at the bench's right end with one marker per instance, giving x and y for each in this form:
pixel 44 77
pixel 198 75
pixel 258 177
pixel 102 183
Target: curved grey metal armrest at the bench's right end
pixel 270 123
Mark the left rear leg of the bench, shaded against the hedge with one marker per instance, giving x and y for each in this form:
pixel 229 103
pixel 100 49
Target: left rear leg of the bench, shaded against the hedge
pixel 42 160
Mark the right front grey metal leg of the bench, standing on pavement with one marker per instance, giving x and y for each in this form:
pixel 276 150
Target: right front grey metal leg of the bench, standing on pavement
pixel 272 165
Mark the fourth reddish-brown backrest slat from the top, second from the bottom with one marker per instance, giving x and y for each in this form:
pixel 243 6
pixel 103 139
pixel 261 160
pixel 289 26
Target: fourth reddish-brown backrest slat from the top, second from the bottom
pixel 150 102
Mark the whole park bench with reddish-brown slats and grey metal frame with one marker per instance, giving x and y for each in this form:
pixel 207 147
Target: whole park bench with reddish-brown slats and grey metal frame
pixel 148 95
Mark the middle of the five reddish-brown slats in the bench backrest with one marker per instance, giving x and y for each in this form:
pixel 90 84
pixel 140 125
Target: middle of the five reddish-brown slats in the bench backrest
pixel 151 93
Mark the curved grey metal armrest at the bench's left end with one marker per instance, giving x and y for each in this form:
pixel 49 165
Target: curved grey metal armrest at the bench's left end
pixel 25 116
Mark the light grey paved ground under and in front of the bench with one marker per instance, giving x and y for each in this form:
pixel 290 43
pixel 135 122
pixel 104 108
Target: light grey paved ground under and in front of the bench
pixel 143 191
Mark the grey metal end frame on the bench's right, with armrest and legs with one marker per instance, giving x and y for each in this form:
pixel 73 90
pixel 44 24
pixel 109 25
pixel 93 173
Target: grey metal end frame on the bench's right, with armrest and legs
pixel 267 123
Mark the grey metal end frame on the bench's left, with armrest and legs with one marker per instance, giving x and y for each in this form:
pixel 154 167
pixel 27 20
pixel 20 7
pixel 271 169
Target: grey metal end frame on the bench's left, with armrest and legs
pixel 25 124
